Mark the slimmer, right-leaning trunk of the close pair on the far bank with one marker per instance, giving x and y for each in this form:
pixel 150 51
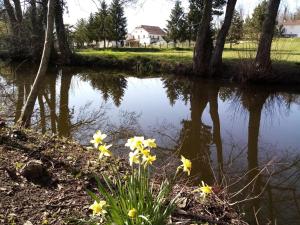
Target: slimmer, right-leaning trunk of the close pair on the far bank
pixel 216 60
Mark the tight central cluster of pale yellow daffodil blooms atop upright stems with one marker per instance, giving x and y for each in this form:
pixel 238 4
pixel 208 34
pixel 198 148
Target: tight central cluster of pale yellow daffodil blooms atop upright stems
pixel 141 151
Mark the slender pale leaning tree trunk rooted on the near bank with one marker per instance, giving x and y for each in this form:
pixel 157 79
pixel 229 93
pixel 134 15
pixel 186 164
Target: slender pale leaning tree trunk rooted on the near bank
pixel 29 106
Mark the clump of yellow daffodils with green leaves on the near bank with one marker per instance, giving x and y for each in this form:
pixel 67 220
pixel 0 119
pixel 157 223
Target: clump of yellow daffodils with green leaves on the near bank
pixel 133 200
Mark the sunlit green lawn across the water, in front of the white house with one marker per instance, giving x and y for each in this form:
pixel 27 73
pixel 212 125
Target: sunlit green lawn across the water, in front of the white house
pixel 284 50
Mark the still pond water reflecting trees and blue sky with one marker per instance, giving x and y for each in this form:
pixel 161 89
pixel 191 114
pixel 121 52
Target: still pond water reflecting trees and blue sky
pixel 245 137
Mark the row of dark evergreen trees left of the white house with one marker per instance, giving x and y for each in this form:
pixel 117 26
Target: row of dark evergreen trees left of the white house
pixel 108 24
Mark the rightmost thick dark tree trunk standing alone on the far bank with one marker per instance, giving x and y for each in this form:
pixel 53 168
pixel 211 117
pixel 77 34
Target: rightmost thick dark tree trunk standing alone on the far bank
pixel 263 57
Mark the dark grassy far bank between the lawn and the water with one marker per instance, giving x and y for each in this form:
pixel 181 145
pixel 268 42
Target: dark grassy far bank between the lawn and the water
pixel 240 71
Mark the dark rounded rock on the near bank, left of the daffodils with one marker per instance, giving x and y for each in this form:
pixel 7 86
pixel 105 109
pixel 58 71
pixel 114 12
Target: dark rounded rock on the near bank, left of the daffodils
pixel 35 172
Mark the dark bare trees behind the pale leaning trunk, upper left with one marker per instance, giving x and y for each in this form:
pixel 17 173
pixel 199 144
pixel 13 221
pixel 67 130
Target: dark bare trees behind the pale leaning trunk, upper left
pixel 26 25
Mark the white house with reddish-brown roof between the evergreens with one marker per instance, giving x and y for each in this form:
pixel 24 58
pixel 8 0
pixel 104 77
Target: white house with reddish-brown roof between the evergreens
pixel 145 34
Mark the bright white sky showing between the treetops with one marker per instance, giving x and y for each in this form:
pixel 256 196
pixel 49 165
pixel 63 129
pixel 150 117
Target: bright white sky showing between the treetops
pixel 151 12
